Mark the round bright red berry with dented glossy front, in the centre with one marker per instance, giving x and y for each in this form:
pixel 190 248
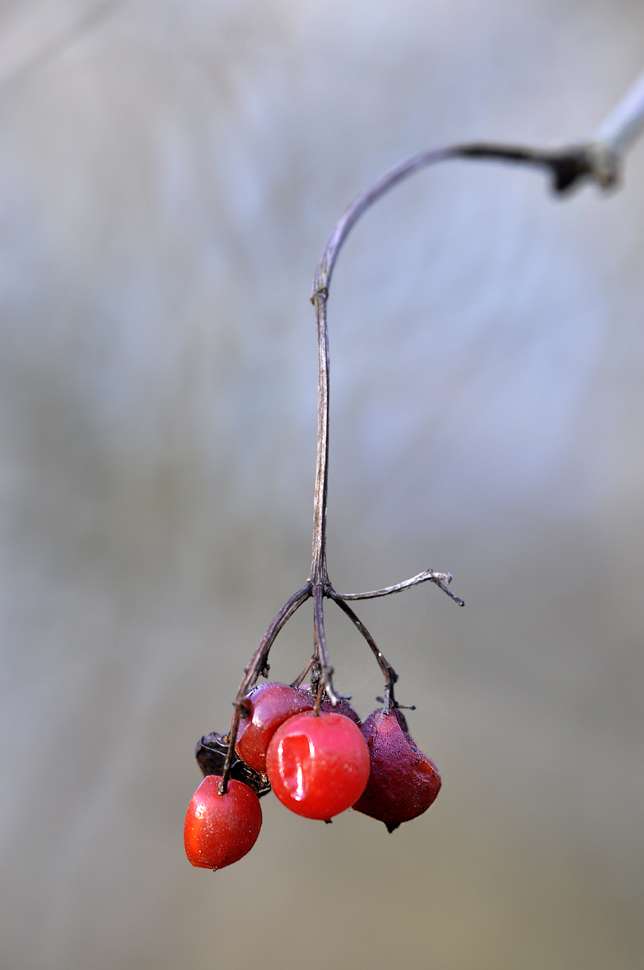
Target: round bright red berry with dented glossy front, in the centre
pixel 318 765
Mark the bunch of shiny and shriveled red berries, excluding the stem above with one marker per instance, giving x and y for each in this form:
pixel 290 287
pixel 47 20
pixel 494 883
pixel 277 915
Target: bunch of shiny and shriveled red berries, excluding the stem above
pixel 318 760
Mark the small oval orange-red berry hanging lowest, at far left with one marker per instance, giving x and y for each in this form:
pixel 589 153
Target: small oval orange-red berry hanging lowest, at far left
pixel 220 829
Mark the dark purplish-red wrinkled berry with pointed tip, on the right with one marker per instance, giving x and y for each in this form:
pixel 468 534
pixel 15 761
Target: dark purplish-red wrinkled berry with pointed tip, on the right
pixel 403 783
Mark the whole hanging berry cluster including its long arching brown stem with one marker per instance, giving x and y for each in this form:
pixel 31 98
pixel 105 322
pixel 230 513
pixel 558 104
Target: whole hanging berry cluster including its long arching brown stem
pixel 308 745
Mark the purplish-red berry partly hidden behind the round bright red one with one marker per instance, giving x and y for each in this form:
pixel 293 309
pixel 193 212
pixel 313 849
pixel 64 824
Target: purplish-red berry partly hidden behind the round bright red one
pixel 268 706
